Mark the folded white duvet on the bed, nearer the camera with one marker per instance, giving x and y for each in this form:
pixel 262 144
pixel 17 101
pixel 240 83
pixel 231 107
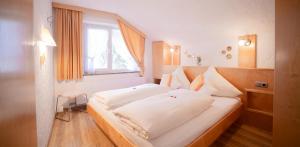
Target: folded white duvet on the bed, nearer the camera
pixel 153 116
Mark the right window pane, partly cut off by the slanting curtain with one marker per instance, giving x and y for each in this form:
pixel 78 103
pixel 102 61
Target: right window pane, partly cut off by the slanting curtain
pixel 121 58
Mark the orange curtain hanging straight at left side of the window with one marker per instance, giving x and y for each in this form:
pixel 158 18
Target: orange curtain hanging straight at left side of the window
pixel 69 44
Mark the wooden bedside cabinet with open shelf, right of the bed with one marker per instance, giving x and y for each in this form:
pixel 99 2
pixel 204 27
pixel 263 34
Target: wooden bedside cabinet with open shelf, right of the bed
pixel 259 108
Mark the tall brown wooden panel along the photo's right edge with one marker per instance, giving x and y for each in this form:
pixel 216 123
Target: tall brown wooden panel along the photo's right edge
pixel 287 74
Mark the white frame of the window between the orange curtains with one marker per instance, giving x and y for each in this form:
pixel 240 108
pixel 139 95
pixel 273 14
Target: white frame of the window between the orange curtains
pixel 109 69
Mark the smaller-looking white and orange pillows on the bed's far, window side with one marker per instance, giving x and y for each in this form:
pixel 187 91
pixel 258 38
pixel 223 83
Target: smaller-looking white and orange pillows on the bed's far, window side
pixel 176 80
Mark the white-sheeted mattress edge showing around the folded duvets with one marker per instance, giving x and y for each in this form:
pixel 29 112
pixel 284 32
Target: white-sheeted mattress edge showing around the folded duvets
pixel 177 137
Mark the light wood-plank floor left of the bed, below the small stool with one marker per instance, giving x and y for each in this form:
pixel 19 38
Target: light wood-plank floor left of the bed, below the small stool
pixel 81 131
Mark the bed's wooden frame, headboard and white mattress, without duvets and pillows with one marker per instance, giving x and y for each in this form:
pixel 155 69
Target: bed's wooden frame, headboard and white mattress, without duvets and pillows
pixel 203 131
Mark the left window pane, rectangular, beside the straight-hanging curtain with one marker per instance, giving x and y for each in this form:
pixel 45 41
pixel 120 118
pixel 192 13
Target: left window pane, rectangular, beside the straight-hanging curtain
pixel 97 48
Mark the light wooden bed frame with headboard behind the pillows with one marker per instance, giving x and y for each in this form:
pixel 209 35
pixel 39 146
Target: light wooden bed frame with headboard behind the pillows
pixel 241 78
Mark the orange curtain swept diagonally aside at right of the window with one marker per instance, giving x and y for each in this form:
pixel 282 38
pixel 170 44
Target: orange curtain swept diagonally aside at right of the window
pixel 135 43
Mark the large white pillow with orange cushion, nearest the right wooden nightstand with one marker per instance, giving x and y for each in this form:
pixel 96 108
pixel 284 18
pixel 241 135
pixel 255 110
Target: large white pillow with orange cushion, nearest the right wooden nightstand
pixel 214 83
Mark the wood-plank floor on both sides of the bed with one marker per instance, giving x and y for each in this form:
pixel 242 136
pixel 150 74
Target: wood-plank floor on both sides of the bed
pixel 83 132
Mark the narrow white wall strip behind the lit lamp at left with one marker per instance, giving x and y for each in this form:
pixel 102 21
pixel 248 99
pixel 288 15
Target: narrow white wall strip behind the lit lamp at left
pixel 44 76
